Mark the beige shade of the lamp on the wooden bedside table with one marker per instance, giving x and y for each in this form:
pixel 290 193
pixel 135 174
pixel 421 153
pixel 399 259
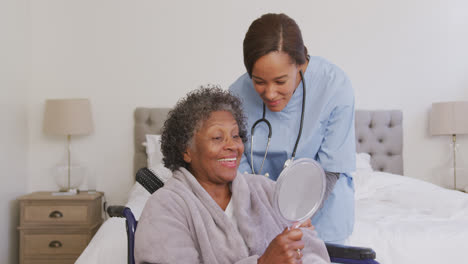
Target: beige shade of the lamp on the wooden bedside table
pixel 68 117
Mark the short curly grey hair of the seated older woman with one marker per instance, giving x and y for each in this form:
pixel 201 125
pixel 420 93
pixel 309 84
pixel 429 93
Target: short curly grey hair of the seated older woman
pixel 188 116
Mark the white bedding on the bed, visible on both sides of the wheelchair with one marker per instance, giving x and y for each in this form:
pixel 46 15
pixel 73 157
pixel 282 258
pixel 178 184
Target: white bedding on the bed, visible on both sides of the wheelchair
pixel 403 219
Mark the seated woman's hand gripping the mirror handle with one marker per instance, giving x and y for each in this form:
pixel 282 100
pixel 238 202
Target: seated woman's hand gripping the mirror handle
pixel 284 248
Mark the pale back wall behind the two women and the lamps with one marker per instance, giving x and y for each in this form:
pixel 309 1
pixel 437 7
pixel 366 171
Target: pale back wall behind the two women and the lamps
pixel 123 54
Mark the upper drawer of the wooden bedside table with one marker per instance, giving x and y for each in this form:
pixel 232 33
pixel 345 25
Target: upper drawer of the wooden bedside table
pixel 54 214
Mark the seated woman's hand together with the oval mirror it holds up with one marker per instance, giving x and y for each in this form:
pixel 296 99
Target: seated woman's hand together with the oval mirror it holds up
pixel 298 194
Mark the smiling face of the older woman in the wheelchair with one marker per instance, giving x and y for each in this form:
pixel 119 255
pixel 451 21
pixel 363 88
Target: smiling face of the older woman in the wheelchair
pixel 216 150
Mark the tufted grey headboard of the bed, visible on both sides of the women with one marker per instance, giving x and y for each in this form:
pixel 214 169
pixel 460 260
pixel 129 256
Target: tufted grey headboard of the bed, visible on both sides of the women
pixel 379 133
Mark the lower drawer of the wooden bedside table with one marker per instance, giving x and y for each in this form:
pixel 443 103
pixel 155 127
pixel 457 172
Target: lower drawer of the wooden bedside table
pixel 54 244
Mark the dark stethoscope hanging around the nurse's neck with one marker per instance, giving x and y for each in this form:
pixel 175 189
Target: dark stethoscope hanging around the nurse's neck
pixel 264 120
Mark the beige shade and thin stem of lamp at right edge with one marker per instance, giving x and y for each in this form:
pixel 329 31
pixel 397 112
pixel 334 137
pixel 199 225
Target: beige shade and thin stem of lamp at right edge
pixel 450 118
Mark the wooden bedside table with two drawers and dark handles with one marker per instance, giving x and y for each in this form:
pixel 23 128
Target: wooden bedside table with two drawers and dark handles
pixel 56 229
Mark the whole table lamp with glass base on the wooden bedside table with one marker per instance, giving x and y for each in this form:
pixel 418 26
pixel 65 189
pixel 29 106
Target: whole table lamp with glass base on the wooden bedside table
pixel 68 117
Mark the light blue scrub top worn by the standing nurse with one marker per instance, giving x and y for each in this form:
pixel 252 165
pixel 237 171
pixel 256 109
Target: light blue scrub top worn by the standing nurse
pixel 327 137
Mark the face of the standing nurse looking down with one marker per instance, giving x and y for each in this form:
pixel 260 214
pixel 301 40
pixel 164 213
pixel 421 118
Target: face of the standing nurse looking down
pixel 275 78
